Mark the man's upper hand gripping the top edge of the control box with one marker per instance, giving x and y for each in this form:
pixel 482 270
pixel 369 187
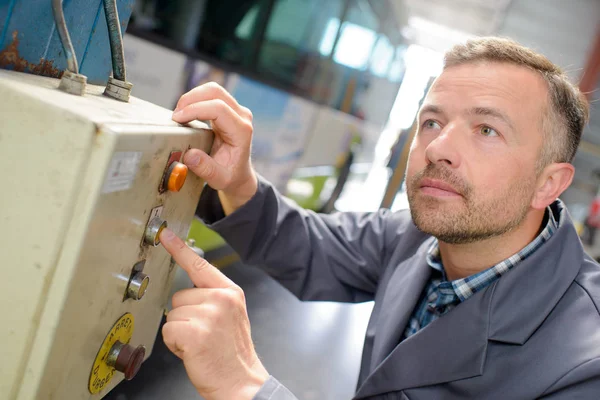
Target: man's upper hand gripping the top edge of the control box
pixel 228 167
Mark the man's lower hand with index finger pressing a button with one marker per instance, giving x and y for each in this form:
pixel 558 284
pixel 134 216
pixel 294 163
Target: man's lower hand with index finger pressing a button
pixel 209 330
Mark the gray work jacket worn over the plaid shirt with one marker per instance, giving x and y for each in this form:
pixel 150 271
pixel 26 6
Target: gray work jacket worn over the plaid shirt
pixel 533 333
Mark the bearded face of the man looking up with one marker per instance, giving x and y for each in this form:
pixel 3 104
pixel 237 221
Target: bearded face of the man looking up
pixel 471 173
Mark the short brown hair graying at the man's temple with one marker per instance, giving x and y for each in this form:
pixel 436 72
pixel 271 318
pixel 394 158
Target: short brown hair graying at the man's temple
pixel 568 112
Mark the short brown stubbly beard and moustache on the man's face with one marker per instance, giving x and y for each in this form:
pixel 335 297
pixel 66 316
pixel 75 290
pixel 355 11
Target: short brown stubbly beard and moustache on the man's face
pixel 476 218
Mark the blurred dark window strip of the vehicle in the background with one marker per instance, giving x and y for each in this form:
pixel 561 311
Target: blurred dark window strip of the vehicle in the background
pixel 328 51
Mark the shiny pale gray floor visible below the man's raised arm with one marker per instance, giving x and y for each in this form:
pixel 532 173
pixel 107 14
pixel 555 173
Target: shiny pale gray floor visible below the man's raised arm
pixel 313 348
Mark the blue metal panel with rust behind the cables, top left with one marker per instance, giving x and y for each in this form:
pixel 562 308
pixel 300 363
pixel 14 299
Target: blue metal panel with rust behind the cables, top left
pixel 29 41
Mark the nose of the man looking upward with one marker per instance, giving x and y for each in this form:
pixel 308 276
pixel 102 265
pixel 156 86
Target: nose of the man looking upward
pixel 446 146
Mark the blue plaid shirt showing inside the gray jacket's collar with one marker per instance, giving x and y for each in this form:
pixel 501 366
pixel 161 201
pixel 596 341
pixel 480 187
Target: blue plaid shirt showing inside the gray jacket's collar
pixel 440 296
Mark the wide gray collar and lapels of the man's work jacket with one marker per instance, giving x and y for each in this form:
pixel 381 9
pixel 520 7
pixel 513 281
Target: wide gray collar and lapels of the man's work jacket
pixel 455 346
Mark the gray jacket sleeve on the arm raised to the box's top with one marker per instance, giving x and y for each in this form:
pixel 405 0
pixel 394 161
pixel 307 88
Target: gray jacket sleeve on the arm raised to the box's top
pixel 337 257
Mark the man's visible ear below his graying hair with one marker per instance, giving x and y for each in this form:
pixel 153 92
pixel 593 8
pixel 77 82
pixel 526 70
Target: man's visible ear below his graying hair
pixel 553 181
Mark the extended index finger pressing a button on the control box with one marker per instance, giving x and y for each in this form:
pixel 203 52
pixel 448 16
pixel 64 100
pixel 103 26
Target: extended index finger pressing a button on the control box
pixel 202 274
